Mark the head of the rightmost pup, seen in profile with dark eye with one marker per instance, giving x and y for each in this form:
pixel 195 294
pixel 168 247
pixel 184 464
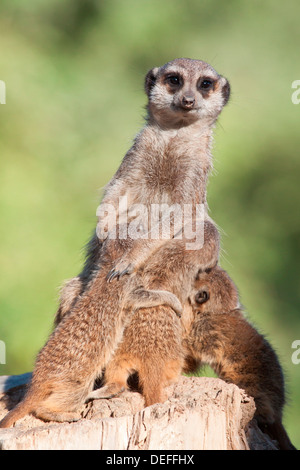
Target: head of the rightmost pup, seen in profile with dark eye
pixel 214 292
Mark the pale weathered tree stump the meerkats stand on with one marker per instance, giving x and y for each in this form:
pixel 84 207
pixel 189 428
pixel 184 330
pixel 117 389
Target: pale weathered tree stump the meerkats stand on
pixel 201 413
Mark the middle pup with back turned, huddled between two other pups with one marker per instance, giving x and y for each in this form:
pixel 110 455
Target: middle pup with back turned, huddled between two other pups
pixel 152 342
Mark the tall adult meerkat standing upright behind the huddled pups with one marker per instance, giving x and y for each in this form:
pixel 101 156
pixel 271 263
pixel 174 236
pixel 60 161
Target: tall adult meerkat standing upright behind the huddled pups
pixel 169 161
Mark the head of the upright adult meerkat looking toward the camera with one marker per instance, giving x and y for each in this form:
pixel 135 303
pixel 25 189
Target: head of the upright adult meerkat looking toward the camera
pixel 184 91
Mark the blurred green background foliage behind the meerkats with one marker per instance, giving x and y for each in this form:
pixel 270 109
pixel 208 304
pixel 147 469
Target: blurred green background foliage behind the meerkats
pixel 74 74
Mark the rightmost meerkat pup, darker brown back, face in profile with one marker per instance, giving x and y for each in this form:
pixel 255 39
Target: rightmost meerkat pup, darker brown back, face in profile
pixel 221 337
